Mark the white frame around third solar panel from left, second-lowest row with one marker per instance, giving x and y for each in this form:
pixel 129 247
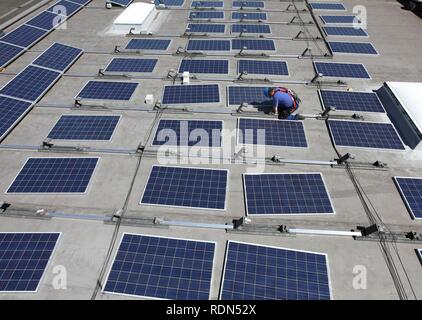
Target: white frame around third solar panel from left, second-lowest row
pixel 287 214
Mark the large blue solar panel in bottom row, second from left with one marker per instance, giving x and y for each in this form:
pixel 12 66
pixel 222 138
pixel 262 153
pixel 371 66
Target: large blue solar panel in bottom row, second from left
pixel 160 267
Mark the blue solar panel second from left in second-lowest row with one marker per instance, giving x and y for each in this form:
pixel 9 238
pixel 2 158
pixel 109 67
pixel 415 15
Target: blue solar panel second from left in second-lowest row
pixel 186 187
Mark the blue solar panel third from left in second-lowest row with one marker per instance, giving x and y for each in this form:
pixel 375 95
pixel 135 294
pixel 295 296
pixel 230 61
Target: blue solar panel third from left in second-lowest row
pixel 286 194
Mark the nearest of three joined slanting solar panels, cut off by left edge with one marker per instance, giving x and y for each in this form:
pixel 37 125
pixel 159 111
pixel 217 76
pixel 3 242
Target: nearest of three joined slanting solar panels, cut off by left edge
pixel 11 110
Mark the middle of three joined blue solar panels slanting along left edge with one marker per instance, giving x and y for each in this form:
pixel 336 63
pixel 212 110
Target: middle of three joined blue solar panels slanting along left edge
pixel 31 83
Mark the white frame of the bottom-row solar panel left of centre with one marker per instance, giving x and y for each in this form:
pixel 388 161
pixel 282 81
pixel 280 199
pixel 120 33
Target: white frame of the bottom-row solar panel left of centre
pixel 158 236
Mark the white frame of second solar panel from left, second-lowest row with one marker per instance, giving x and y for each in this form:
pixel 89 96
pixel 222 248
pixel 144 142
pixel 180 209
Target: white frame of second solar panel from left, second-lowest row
pixel 227 182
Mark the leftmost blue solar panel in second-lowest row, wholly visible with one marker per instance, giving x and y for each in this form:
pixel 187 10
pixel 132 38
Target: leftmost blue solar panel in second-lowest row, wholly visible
pixel 54 175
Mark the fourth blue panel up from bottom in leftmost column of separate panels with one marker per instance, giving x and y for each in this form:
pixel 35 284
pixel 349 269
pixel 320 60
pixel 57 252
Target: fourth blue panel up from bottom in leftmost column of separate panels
pixel 107 90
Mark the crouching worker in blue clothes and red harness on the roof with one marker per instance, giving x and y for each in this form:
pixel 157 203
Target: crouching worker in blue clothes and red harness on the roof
pixel 285 102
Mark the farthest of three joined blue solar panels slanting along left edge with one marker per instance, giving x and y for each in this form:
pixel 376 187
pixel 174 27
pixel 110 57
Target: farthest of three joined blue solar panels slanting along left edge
pixel 58 57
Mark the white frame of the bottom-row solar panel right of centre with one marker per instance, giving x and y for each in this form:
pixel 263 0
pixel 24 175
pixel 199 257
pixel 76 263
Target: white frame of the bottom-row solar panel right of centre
pixel 223 277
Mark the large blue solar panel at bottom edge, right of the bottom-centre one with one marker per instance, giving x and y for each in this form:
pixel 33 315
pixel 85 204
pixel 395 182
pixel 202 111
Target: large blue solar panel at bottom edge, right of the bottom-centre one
pixel 256 272
